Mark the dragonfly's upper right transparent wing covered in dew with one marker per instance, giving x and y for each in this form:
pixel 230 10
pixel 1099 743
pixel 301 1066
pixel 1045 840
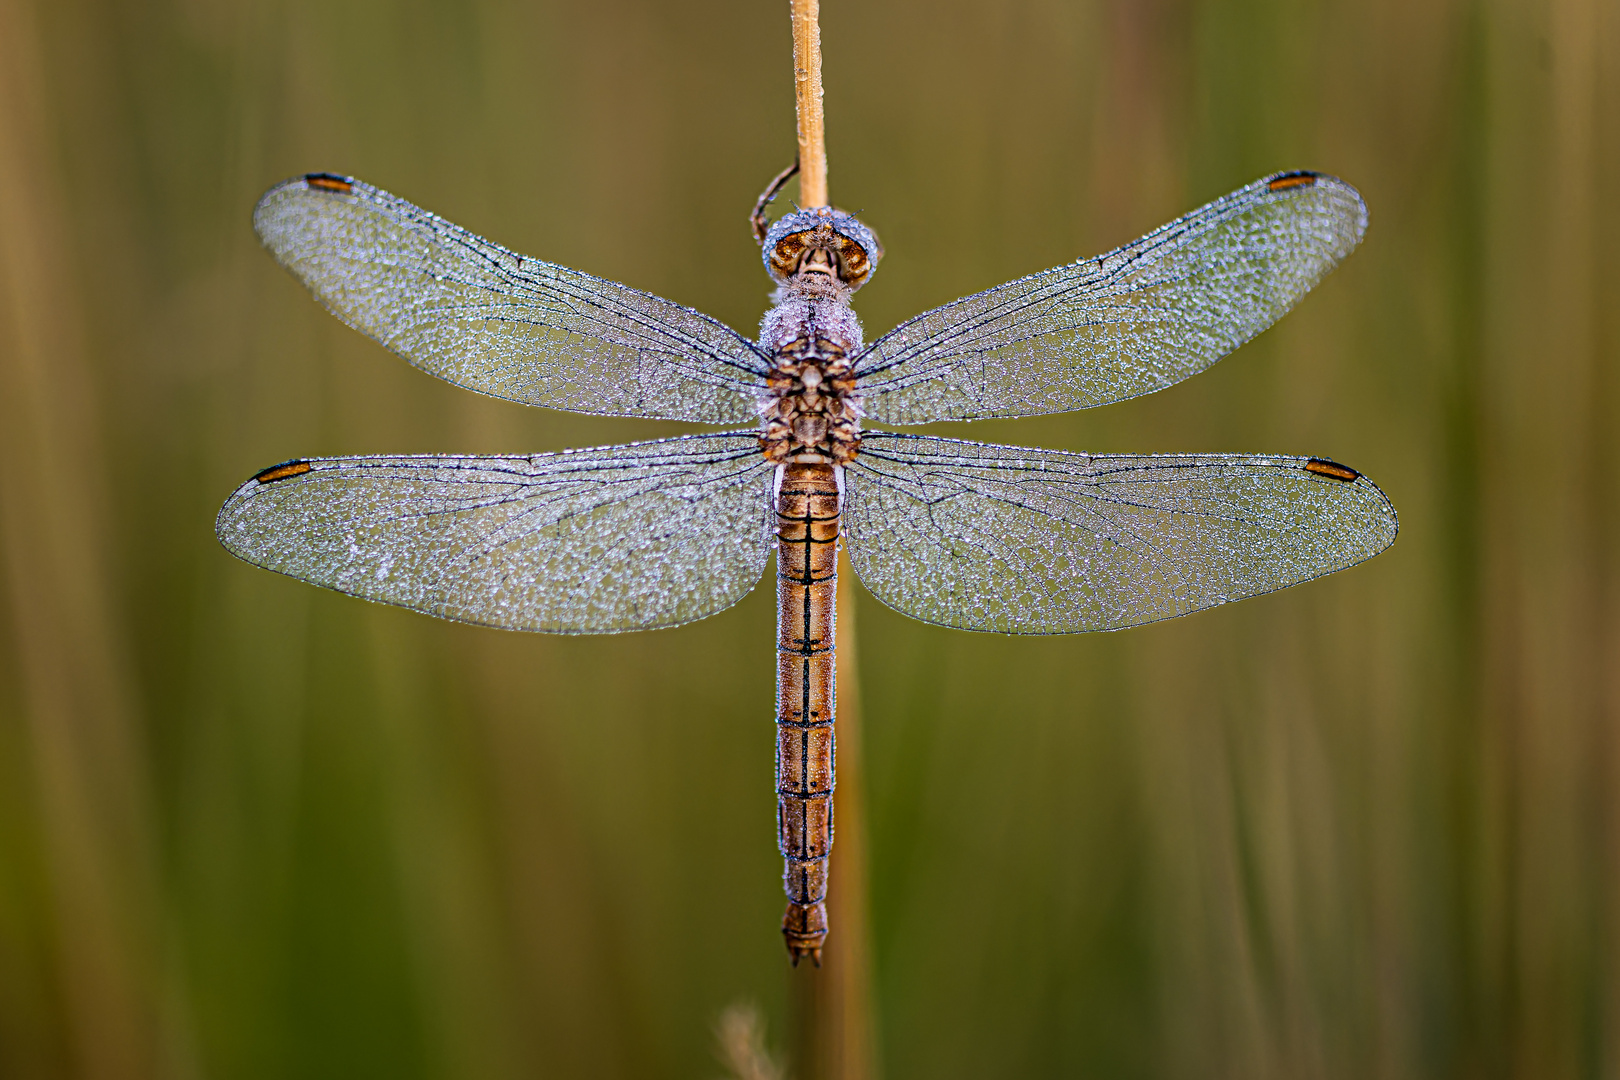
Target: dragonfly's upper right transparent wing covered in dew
pixel 1123 325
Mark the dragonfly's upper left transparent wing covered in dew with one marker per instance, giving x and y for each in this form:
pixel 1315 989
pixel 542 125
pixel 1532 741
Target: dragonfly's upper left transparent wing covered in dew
pixel 500 323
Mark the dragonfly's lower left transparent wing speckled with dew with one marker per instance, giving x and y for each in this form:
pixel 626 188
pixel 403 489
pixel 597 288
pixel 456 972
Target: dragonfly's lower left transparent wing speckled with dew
pixel 587 542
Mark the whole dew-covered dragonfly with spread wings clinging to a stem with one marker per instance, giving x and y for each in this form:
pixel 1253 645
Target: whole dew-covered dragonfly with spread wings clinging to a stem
pixel 957 534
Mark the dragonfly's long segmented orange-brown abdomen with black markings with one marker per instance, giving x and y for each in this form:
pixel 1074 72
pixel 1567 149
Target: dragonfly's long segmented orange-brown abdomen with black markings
pixel 808 509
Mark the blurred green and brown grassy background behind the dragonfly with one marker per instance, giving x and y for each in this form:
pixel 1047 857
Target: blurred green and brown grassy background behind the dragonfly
pixel 1363 828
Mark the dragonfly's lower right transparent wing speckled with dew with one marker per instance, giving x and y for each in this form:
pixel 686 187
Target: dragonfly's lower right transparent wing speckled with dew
pixel 1039 542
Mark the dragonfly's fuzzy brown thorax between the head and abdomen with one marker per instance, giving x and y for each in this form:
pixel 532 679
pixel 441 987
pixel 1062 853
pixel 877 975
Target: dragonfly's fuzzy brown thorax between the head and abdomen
pixel 811 407
